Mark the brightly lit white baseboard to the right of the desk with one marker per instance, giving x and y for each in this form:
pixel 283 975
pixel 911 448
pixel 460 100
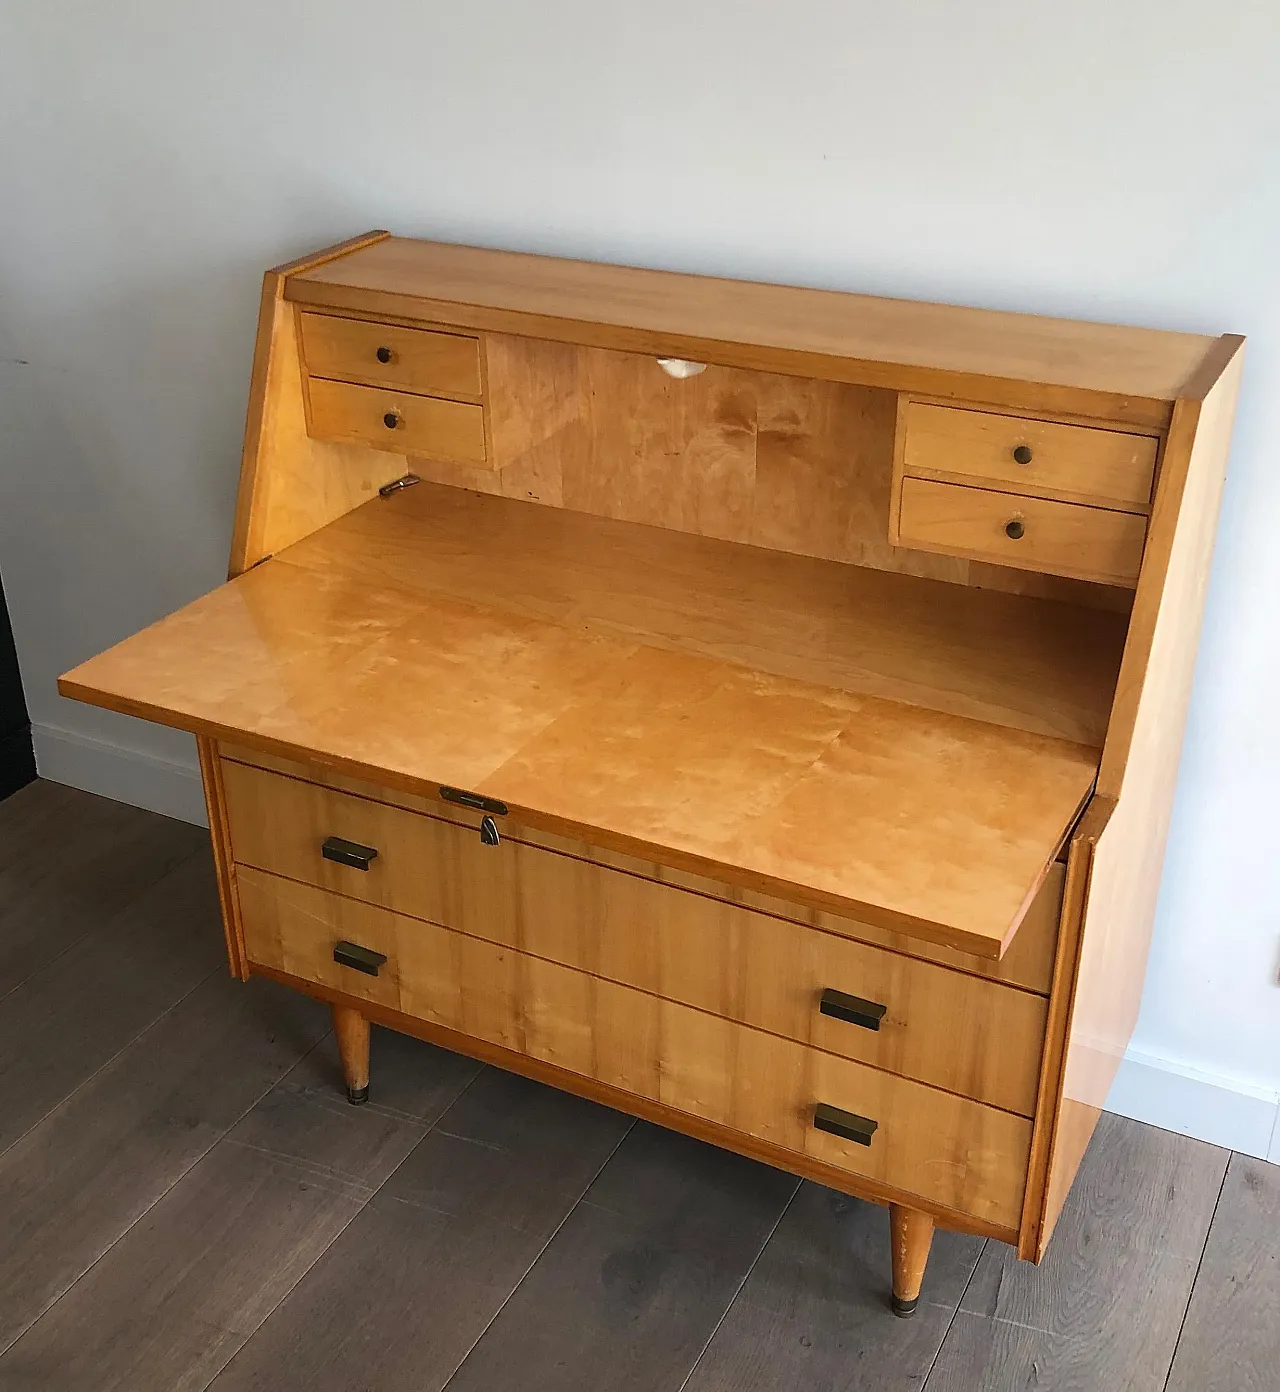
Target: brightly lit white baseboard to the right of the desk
pixel 1214 1107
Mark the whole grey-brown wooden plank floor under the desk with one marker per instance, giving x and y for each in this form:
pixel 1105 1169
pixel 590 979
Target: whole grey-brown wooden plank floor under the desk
pixel 187 1202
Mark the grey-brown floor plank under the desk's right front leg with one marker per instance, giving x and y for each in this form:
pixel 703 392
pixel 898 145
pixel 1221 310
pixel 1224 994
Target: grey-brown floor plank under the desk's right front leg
pixel 815 1312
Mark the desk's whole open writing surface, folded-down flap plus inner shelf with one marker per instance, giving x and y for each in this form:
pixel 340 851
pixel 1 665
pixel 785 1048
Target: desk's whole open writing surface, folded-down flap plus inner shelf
pixel 858 738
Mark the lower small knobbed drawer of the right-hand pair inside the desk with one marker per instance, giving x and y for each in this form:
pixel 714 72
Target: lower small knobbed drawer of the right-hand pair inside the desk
pixel 1030 534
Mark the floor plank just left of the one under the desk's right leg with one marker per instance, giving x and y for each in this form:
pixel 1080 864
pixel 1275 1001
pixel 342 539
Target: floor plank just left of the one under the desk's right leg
pixel 635 1283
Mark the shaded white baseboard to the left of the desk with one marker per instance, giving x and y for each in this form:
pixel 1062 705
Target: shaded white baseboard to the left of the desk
pixel 122 773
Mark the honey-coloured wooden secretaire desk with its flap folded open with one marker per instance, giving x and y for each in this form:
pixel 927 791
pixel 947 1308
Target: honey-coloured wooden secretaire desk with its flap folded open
pixel 758 709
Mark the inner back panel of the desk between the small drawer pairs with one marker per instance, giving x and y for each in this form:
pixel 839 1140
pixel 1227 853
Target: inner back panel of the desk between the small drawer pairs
pixel 790 464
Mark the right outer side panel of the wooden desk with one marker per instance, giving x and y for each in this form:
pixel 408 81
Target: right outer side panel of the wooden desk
pixel 1125 876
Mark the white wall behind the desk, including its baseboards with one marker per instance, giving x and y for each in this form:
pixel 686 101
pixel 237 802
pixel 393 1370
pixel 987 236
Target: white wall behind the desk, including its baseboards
pixel 1111 159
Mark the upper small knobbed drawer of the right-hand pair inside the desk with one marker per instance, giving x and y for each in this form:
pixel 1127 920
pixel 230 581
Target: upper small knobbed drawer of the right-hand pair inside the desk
pixel 1101 467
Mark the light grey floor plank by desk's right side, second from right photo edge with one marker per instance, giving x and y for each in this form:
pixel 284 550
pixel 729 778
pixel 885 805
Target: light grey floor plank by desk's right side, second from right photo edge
pixel 1105 1306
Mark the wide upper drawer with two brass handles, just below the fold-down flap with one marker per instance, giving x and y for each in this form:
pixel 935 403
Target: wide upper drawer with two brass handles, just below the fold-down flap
pixel 959 1032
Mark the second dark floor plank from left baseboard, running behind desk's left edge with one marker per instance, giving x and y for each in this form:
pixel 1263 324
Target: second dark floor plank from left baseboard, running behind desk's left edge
pixel 69 1020
